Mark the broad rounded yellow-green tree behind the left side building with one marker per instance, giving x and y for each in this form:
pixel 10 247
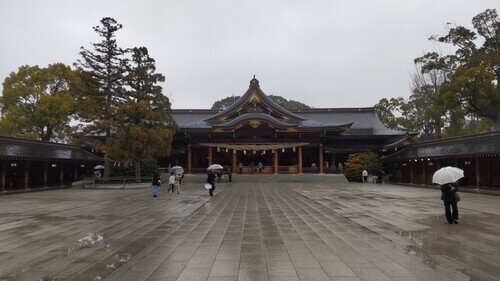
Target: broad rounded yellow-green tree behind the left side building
pixel 38 103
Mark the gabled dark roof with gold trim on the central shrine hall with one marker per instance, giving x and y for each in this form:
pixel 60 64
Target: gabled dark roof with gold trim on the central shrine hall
pixel 256 106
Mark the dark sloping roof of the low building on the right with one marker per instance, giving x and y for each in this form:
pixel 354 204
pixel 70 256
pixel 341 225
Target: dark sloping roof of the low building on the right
pixel 478 144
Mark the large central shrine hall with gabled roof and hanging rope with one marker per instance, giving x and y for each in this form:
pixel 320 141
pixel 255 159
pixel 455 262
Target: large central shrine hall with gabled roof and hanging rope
pixel 255 129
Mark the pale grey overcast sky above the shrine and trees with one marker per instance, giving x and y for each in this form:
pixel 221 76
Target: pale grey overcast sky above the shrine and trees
pixel 324 53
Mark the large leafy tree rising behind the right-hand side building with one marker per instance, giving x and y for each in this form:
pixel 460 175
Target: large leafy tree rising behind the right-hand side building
pixel 472 88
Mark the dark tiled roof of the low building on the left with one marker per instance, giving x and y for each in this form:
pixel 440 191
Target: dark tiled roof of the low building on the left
pixel 16 148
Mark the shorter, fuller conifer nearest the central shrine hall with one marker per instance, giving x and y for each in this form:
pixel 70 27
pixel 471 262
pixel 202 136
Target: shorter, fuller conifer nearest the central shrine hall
pixel 145 127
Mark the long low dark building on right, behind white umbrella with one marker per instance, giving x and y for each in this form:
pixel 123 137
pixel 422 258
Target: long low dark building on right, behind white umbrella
pixel 478 155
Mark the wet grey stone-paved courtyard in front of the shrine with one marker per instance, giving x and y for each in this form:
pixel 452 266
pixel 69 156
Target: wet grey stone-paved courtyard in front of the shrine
pixel 252 230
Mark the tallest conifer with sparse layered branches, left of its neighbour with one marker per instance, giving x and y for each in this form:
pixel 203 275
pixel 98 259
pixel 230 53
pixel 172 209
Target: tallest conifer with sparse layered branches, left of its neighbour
pixel 104 69
